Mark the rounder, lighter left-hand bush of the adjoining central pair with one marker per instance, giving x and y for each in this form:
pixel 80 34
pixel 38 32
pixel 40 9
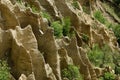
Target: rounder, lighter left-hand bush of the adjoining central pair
pixel 58 28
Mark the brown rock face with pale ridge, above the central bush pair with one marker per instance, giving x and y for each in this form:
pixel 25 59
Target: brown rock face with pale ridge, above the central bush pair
pixel 67 10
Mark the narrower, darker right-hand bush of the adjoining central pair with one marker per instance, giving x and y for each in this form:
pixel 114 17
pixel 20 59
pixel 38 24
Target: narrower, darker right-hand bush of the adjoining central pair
pixel 66 26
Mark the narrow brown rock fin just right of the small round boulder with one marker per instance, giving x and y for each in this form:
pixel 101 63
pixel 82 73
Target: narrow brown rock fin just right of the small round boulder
pixel 74 53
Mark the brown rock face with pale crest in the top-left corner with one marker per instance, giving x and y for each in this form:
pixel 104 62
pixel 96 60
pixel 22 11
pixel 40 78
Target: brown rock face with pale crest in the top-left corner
pixel 8 18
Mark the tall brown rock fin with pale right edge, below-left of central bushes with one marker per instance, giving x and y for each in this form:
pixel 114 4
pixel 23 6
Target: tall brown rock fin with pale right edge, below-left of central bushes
pixel 47 45
